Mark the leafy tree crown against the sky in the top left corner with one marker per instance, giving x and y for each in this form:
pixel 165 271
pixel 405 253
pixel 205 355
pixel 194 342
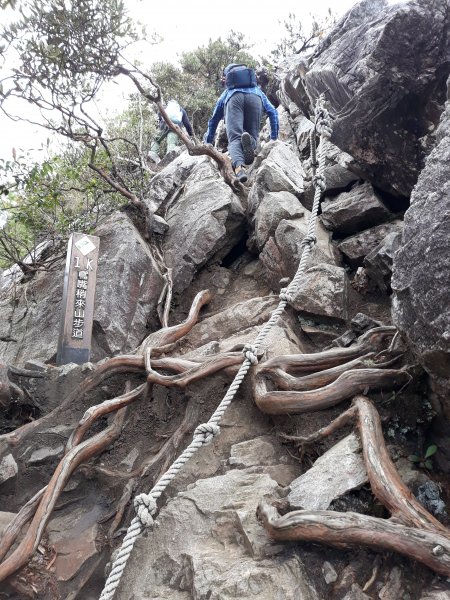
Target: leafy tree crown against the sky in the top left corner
pixel 71 45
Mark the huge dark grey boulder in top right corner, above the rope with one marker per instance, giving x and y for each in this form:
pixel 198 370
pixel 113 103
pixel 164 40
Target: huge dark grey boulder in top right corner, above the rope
pixel 383 71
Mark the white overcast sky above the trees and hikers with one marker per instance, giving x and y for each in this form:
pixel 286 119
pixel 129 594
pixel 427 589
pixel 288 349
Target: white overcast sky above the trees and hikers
pixel 184 25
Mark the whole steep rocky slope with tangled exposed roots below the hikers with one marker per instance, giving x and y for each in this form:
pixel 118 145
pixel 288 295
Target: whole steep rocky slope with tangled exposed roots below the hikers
pixel 327 476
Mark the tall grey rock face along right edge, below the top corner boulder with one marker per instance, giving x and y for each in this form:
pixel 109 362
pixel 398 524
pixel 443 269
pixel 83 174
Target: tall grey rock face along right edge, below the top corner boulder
pixel 421 270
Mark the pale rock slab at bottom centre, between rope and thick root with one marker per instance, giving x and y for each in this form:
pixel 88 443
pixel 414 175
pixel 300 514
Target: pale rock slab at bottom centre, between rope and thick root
pixel 210 545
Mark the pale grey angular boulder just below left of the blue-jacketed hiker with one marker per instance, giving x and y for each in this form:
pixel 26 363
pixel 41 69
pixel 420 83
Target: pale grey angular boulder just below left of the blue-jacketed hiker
pixel 204 223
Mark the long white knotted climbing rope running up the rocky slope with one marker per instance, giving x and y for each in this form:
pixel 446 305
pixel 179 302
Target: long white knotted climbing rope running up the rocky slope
pixel 145 504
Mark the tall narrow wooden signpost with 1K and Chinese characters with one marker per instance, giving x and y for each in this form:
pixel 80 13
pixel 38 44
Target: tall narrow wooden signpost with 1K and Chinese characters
pixel 74 343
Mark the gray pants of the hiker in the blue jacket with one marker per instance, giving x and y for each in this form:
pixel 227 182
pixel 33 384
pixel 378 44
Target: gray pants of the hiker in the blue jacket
pixel 243 113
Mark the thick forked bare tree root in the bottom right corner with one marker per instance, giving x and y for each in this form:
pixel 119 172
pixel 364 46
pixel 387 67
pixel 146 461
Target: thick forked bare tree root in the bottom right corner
pixel 412 531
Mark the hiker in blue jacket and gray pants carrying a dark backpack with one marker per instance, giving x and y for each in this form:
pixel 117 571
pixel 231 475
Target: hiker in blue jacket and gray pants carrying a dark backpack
pixel 242 104
